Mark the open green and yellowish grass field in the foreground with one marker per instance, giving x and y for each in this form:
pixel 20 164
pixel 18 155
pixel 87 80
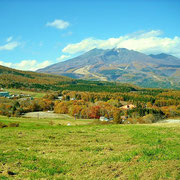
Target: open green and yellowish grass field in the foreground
pixel 38 149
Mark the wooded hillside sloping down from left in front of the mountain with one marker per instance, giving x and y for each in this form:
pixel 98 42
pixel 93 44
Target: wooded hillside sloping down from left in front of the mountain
pixel 25 80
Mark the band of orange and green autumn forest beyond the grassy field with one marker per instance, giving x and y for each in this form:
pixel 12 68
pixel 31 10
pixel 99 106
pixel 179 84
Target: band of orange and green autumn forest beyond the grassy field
pixel 149 105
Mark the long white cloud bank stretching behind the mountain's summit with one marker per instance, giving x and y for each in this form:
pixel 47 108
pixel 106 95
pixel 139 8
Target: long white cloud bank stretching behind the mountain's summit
pixel 146 42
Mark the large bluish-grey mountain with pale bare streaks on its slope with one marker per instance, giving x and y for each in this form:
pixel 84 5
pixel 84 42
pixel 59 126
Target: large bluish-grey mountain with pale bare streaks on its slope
pixel 120 64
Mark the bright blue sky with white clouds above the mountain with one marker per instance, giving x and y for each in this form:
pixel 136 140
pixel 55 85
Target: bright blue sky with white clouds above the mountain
pixel 37 33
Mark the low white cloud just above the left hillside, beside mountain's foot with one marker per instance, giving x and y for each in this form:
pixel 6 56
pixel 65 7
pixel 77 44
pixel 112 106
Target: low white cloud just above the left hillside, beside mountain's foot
pixel 28 65
